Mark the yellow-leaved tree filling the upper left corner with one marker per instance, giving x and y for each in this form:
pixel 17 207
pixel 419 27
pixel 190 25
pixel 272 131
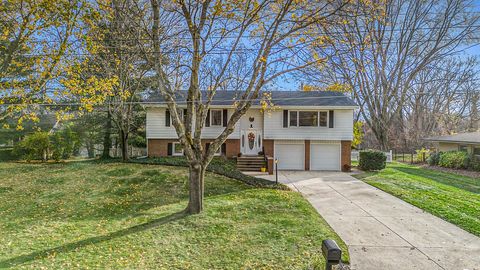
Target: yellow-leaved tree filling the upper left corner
pixel 35 36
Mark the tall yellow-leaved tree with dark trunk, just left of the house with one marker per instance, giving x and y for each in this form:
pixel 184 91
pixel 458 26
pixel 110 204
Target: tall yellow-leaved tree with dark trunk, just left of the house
pixel 113 75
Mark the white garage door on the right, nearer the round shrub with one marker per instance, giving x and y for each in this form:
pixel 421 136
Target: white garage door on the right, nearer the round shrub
pixel 325 157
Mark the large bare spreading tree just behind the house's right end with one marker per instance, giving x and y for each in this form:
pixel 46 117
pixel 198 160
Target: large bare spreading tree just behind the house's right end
pixel 383 50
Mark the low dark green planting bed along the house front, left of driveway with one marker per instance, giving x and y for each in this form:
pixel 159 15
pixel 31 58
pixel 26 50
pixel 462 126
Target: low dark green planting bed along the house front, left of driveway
pixel 219 165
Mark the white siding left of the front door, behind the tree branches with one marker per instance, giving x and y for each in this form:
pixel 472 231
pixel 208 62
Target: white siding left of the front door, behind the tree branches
pixel 156 128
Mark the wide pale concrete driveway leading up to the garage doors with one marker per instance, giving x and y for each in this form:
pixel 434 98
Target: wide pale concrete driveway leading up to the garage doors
pixel 382 231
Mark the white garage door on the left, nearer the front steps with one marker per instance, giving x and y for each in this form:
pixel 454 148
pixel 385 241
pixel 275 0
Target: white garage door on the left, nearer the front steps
pixel 290 155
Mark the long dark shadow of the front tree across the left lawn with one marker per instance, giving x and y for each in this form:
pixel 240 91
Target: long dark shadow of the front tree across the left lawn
pixel 90 241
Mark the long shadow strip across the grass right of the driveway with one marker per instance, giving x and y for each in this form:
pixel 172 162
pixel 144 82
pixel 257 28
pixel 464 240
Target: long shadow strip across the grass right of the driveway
pixel 457 181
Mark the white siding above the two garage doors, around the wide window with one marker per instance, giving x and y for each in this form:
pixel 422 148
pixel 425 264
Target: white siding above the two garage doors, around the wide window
pixel 342 130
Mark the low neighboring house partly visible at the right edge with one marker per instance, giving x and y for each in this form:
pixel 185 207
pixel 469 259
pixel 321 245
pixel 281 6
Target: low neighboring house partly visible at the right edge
pixel 469 142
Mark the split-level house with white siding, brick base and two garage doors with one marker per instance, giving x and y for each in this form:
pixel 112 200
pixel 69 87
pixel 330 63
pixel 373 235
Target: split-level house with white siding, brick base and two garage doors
pixel 305 130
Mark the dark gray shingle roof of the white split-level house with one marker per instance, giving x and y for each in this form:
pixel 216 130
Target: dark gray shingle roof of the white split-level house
pixel 279 98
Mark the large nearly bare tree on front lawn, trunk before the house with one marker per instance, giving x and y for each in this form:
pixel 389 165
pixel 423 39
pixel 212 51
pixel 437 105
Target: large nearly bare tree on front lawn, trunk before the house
pixel 242 46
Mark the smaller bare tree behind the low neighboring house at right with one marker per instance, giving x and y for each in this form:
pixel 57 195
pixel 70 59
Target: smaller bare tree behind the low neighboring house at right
pixel 439 100
